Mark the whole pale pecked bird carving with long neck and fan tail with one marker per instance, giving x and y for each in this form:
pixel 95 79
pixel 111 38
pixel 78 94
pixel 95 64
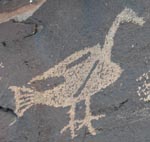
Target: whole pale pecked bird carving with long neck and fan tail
pixel 82 80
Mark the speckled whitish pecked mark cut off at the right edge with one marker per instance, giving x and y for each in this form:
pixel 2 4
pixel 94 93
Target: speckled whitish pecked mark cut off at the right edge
pixel 144 89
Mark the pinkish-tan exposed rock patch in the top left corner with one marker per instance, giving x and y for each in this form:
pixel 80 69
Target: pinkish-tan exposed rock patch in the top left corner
pixel 22 13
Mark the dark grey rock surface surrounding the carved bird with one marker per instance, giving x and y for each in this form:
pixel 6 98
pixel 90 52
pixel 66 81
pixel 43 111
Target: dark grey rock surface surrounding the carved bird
pixel 64 27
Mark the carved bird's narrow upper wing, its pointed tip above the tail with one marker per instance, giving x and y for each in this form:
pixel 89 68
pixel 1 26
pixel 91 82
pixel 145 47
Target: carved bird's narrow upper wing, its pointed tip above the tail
pixel 68 64
